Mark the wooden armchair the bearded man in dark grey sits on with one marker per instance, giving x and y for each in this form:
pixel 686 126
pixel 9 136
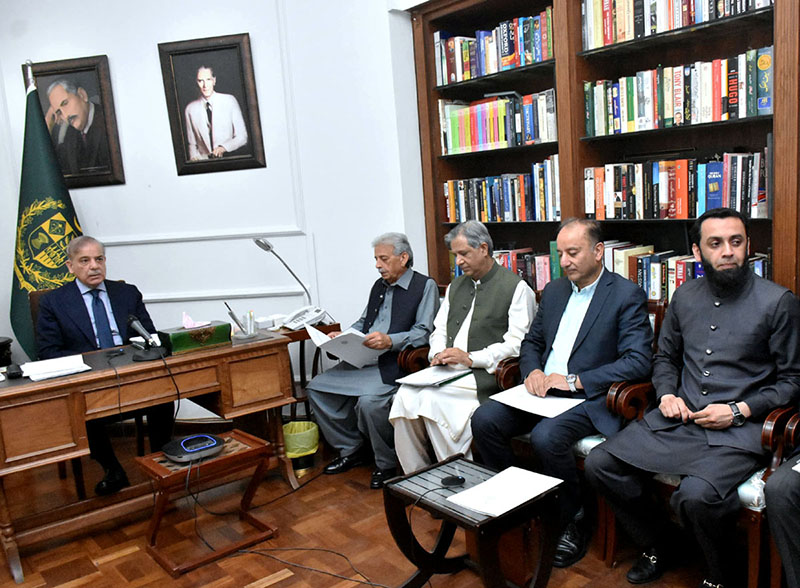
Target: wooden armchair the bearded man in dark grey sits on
pixel 632 400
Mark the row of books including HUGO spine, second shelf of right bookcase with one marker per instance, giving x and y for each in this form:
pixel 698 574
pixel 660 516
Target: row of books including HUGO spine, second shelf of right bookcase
pixel 701 92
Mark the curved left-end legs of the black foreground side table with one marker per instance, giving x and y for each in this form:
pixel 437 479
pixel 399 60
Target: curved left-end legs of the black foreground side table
pixel 427 562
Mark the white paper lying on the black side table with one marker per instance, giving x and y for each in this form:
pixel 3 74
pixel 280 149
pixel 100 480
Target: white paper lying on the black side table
pixel 504 491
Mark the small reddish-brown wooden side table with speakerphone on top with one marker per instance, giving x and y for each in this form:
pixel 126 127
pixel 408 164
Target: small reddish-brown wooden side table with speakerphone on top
pixel 241 451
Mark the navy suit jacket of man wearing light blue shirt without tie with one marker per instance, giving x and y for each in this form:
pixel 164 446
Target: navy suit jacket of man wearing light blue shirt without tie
pixel 614 342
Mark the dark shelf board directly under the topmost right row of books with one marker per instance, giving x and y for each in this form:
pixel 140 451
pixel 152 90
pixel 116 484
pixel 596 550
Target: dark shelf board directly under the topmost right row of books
pixel 703 33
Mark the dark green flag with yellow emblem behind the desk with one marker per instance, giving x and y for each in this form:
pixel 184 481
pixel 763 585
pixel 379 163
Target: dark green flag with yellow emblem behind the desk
pixel 46 222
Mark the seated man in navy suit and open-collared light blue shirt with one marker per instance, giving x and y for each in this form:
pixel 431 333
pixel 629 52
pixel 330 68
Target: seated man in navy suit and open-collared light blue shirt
pixel 591 330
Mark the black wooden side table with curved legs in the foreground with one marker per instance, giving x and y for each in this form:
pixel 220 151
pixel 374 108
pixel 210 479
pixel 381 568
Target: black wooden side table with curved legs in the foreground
pixel 424 489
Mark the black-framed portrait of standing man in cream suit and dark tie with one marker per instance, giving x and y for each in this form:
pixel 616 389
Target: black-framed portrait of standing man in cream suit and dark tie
pixel 212 104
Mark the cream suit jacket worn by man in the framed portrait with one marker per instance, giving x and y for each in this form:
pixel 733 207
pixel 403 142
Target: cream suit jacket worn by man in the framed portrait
pixel 228 126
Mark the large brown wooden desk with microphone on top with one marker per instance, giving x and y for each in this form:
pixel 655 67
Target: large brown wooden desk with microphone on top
pixel 45 422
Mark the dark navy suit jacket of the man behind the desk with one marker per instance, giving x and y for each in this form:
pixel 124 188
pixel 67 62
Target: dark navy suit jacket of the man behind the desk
pixel 64 326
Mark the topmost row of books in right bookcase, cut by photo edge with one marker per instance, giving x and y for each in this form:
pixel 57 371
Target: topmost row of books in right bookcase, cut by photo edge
pixel 606 22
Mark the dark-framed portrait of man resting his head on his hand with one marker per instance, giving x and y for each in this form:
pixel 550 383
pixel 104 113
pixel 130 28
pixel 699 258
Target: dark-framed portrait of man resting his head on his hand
pixel 78 107
